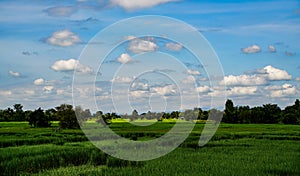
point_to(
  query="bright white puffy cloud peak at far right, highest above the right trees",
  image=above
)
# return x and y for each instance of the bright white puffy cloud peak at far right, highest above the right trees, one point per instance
(276, 74)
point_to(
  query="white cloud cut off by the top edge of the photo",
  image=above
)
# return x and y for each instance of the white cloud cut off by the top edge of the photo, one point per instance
(140, 4)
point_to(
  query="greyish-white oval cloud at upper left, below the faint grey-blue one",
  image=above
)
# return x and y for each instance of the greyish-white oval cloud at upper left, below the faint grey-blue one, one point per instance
(63, 38)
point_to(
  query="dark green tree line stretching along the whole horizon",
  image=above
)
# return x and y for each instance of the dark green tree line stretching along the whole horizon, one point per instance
(70, 117)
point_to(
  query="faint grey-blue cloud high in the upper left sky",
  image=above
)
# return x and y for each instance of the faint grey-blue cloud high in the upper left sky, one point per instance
(61, 11)
